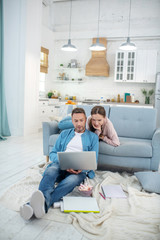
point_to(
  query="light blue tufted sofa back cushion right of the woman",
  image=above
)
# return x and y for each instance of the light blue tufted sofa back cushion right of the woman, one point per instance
(133, 122)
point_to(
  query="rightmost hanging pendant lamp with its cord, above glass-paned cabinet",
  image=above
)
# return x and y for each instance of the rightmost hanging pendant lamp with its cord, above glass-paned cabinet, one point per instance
(128, 45)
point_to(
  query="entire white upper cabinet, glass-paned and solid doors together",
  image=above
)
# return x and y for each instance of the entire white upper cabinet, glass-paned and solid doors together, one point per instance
(136, 66)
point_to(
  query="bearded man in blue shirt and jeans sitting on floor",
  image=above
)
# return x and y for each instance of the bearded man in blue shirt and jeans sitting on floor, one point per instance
(75, 139)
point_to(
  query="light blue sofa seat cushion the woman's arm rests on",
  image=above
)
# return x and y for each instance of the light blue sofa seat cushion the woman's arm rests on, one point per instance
(129, 147)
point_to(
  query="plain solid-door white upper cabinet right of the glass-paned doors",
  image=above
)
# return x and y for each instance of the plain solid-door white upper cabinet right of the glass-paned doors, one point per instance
(146, 66)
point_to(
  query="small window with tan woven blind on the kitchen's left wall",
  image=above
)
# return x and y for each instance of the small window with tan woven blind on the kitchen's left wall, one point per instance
(44, 60)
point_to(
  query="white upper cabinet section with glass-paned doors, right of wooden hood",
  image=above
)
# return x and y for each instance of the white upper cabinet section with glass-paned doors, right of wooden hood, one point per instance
(125, 66)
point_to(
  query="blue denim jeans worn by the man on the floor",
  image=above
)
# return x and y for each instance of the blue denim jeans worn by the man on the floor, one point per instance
(66, 183)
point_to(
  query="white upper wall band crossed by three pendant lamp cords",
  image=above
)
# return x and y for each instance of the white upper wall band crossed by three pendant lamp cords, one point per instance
(113, 21)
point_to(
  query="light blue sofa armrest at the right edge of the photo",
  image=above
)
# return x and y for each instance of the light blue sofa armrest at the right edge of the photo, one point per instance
(156, 150)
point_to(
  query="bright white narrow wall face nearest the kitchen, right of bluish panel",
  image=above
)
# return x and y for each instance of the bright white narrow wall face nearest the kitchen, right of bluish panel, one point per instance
(32, 65)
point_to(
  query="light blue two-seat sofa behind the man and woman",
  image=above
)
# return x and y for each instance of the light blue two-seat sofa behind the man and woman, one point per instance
(139, 139)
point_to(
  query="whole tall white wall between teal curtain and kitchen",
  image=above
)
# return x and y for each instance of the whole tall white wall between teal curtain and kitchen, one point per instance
(22, 37)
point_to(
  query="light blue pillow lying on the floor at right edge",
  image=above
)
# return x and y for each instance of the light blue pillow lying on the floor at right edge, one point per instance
(150, 181)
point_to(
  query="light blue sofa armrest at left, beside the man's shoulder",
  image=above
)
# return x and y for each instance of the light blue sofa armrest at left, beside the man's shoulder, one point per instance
(49, 128)
